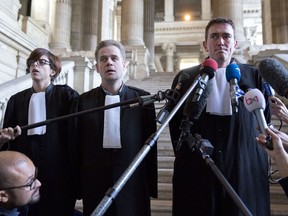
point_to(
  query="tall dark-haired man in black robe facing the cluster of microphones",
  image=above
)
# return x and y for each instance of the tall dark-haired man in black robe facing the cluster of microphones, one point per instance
(196, 189)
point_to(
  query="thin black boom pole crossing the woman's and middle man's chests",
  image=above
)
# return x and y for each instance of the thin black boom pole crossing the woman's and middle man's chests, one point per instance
(142, 101)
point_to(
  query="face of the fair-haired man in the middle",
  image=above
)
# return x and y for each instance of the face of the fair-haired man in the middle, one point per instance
(110, 64)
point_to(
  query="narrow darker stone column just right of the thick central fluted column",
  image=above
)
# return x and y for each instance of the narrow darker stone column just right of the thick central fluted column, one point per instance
(149, 8)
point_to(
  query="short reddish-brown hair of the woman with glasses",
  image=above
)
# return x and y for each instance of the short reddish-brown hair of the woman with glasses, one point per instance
(55, 62)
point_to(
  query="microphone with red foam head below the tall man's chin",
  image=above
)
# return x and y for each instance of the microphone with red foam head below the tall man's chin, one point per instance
(207, 71)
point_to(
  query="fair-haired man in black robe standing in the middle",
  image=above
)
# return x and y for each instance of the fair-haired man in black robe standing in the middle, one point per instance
(101, 162)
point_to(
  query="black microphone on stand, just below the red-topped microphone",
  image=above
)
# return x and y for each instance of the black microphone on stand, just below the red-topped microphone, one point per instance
(192, 111)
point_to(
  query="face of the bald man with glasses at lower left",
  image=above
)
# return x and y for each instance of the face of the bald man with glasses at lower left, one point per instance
(25, 174)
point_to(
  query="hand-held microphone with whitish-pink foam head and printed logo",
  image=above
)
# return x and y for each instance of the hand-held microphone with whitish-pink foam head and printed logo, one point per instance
(254, 101)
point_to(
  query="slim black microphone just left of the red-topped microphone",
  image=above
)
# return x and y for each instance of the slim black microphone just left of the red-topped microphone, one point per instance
(173, 97)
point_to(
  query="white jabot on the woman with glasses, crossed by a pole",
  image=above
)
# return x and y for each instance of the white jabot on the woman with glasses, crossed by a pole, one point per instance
(37, 113)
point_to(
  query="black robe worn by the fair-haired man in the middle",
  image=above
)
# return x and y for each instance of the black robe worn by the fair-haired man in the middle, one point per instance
(101, 168)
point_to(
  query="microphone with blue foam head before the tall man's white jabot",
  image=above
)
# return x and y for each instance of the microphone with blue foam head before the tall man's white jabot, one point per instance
(233, 75)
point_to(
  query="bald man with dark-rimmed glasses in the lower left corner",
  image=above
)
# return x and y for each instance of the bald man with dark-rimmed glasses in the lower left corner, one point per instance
(19, 185)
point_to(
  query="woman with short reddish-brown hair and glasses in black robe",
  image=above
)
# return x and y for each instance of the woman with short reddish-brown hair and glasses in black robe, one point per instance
(47, 147)
